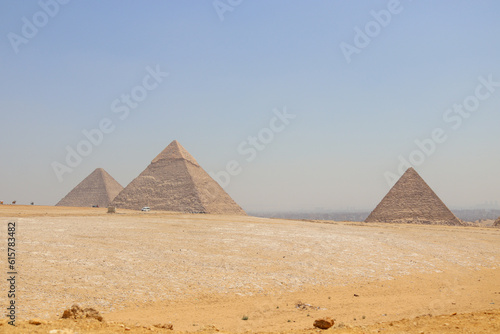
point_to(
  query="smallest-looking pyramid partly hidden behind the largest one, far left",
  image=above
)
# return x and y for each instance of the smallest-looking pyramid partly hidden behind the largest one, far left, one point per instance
(99, 188)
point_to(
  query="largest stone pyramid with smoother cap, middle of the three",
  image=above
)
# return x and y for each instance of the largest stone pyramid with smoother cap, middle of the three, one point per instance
(174, 181)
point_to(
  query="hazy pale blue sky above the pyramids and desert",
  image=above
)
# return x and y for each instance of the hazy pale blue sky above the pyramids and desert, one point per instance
(359, 82)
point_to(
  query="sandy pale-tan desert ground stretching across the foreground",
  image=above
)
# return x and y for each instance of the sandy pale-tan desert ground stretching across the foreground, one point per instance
(230, 274)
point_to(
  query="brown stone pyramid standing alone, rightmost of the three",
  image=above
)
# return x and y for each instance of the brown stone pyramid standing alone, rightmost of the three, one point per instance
(411, 200)
